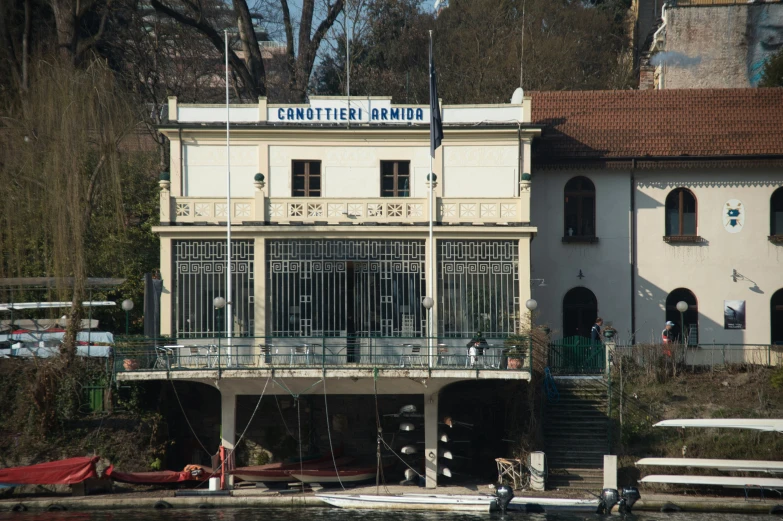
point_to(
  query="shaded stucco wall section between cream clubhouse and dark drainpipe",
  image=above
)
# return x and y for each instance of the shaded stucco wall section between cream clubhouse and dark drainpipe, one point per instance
(605, 265)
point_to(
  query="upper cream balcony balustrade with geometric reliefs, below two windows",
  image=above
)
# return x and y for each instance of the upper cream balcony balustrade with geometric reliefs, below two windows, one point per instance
(344, 210)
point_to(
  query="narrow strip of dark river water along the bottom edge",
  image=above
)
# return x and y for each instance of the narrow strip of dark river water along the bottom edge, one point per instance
(335, 514)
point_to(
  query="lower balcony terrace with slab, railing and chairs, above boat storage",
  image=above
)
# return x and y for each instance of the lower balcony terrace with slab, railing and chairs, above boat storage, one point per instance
(332, 356)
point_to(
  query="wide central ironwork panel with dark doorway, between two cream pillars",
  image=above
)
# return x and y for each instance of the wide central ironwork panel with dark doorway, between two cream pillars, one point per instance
(345, 288)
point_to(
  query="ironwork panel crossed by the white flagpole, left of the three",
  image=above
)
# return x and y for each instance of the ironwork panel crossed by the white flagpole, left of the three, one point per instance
(200, 276)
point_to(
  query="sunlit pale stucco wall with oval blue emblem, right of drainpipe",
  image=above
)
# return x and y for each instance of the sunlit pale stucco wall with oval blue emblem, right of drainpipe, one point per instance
(706, 269)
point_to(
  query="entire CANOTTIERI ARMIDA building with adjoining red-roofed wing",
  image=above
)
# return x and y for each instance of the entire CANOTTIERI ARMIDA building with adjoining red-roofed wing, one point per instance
(584, 204)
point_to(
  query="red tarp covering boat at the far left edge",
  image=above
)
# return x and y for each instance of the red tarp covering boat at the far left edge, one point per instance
(63, 472)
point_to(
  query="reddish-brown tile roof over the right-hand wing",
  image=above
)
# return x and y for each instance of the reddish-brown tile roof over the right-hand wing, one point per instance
(665, 123)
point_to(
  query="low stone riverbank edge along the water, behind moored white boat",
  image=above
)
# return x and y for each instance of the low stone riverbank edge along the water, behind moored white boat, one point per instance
(252, 498)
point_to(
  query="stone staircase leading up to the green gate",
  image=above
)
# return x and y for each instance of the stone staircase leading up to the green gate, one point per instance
(576, 433)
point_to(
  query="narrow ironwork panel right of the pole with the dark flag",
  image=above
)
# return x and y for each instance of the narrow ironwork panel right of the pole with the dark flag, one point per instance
(478, 287)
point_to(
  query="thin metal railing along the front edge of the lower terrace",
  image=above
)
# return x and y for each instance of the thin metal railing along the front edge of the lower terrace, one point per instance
(324, 352)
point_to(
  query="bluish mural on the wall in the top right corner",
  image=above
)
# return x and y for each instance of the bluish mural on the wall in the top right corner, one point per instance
(764, 31)
